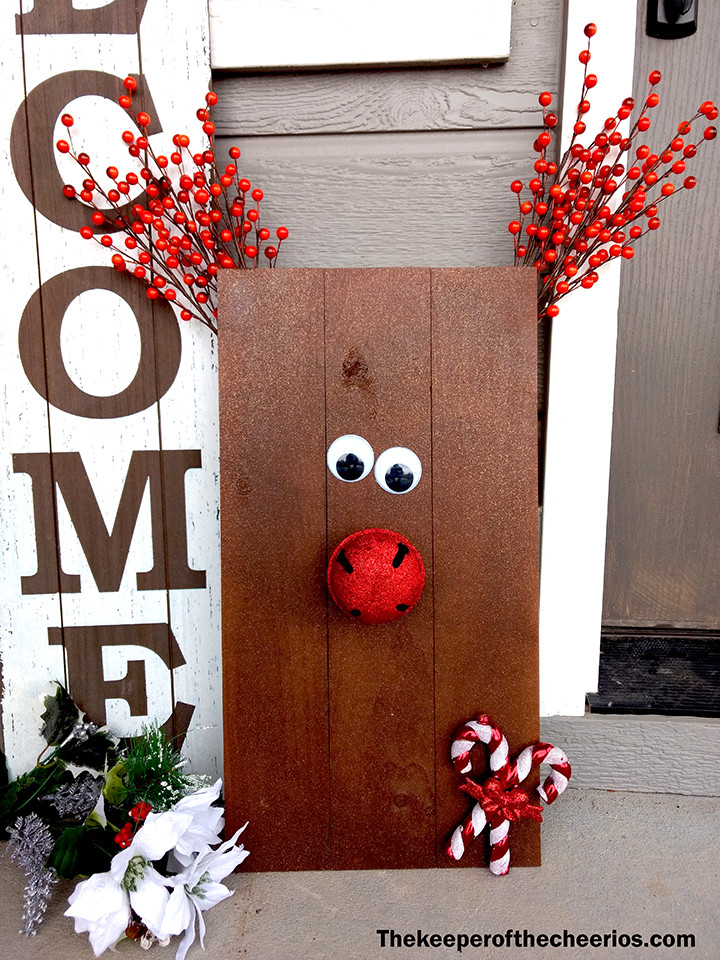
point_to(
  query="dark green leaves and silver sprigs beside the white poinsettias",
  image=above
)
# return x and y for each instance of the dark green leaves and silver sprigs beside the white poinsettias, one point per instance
(64, 816)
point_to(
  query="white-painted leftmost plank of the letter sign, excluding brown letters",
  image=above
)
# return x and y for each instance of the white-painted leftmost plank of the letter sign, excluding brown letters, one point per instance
(28, 663)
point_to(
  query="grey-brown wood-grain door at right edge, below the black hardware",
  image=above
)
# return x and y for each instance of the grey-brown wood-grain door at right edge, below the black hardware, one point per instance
(663, 550)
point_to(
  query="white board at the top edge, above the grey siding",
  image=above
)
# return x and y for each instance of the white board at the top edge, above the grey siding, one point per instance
(265, 34)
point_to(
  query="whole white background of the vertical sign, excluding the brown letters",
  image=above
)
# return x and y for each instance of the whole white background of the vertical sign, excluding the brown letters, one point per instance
(176, 67)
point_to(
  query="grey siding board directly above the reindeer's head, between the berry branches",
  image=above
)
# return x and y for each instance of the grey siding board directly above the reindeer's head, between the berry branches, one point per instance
(439, 199)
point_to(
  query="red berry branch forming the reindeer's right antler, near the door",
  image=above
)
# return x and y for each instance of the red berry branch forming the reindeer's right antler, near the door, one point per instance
(601, 199)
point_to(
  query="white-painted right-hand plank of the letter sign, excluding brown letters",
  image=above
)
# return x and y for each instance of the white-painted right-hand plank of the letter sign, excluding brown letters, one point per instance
(179, 71)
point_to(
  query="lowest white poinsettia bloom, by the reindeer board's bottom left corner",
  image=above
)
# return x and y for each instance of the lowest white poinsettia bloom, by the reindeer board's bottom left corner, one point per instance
(196, 889)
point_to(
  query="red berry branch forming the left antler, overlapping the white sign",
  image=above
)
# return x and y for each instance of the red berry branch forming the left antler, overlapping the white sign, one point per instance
(197, 219)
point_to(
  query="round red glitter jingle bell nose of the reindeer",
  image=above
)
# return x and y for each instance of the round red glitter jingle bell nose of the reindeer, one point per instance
(375, 576)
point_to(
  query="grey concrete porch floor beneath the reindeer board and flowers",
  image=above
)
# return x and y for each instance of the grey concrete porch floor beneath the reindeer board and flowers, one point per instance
(625, 862)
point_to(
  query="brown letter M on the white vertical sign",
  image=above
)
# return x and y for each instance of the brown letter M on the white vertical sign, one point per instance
(107, 550)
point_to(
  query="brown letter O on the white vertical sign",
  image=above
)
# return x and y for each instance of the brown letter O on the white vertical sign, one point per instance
(42, 322)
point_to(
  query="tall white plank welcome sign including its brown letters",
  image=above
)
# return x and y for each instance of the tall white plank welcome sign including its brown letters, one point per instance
(125, 513)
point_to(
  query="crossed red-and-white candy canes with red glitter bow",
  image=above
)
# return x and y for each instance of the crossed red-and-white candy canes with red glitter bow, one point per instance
(499, 799)
